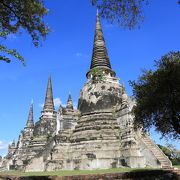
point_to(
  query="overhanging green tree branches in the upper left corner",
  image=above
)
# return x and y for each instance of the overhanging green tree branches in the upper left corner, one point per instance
(16, 15)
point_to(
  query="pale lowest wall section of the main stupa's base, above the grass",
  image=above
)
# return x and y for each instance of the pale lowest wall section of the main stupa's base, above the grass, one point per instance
(85, 155)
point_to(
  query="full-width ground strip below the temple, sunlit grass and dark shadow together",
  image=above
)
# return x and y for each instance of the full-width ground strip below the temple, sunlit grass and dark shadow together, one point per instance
(134, 174)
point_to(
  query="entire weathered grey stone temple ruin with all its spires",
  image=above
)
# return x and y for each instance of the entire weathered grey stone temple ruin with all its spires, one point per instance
(98, 135)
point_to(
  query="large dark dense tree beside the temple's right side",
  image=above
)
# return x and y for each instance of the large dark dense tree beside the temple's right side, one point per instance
(157, 93)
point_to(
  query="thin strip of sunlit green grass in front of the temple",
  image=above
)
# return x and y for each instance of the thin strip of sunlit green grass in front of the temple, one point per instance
(73, 172)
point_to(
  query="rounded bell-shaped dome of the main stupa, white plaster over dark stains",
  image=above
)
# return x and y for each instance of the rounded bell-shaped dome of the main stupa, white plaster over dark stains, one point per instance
(99, 96)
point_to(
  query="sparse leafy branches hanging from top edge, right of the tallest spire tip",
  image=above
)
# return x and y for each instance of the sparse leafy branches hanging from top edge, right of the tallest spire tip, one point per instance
(124, 13)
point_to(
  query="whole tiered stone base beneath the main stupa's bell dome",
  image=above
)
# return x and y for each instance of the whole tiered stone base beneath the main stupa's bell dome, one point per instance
(94, 144)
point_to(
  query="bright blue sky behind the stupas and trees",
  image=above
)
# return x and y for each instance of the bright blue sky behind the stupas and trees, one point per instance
(66, 55)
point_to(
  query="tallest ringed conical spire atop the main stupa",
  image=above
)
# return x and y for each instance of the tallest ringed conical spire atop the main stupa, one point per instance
(100, 56)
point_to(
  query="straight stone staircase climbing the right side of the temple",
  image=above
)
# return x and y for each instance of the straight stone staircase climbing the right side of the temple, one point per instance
(161, 157)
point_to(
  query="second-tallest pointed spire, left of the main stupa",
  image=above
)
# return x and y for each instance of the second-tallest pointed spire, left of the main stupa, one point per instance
(49, 104)
